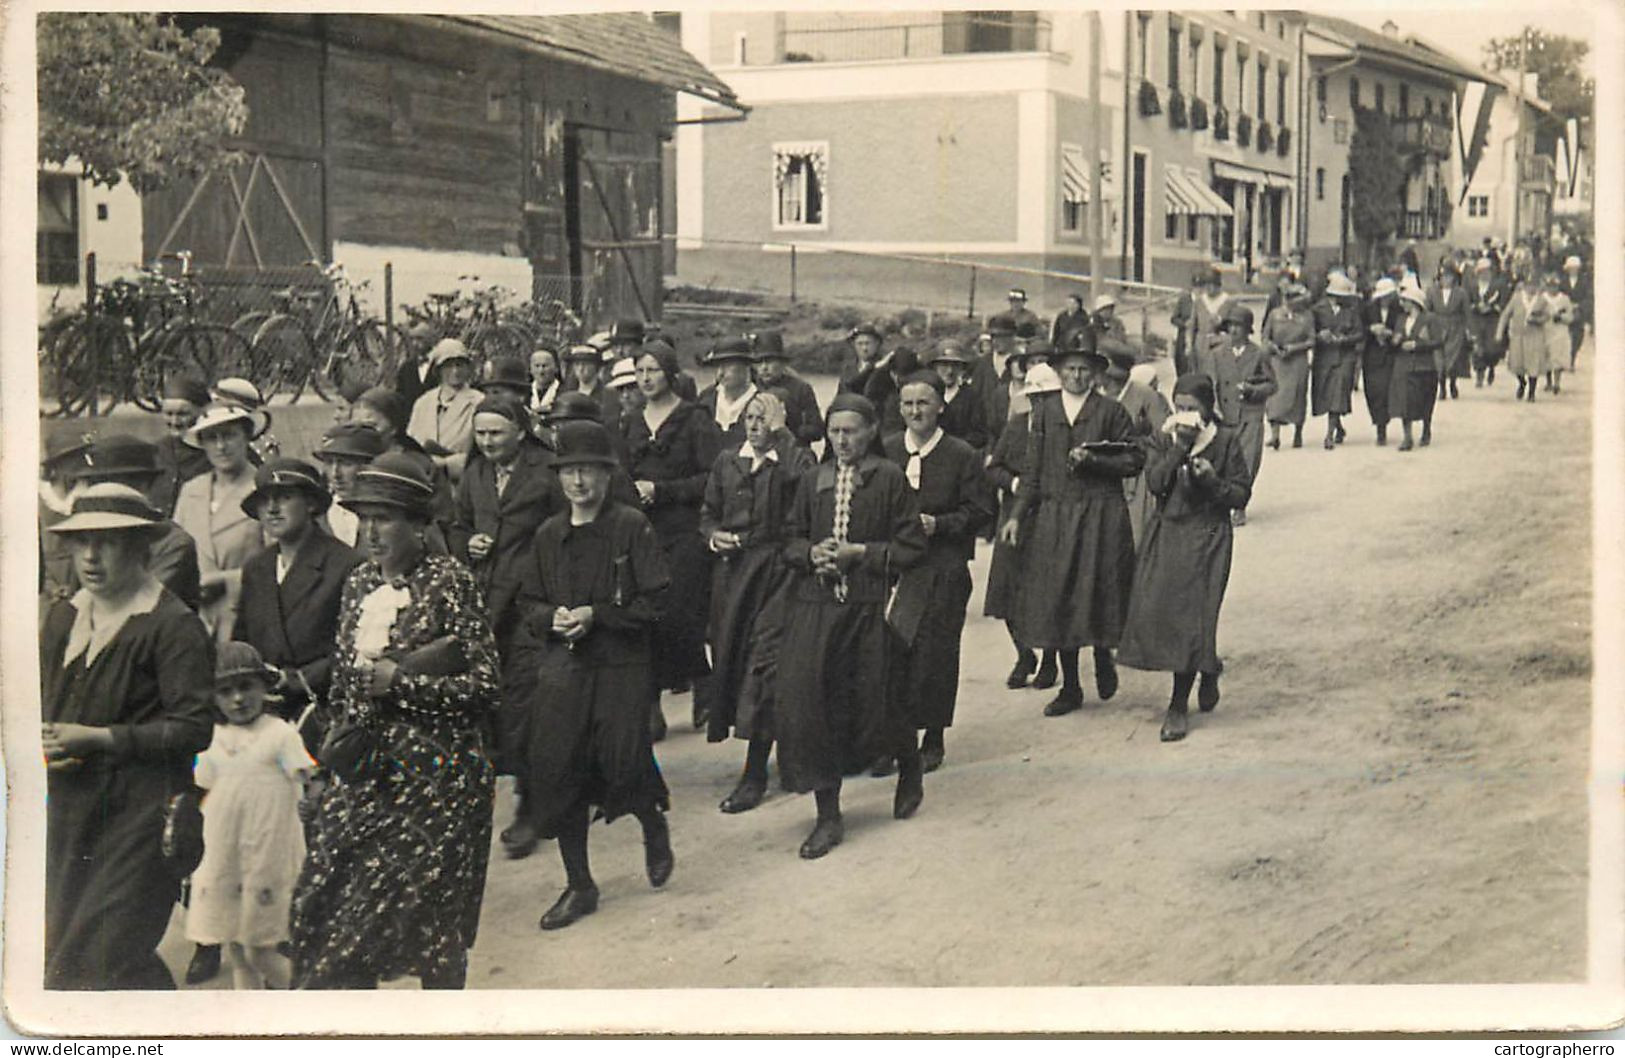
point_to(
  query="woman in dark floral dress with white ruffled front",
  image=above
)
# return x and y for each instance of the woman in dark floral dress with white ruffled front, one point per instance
(396, 874)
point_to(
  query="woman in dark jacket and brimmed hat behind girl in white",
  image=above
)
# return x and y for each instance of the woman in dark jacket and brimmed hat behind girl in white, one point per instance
(292, 591)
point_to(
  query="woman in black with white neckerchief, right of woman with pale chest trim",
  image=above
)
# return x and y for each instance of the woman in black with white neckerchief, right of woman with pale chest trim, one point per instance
(930, 607)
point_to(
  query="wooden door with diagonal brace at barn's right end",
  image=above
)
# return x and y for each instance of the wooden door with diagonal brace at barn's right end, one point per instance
(615, 225)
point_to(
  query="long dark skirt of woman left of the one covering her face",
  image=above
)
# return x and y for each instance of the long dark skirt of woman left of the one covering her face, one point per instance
(1078, 575)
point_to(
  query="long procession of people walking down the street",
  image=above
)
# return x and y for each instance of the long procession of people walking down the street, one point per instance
(501, 573)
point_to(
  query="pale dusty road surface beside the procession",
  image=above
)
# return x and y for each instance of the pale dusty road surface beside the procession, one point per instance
(1393, 789)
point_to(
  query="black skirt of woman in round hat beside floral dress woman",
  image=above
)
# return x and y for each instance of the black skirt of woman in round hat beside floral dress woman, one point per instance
(591, 740)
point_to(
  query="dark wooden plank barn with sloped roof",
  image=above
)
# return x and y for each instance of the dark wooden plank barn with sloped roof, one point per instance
(522, 150)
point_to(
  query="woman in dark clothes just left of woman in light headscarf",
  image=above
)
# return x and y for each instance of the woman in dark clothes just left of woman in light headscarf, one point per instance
(672, 448)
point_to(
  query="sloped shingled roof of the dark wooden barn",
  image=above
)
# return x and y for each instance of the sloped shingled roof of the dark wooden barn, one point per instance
(622, 43)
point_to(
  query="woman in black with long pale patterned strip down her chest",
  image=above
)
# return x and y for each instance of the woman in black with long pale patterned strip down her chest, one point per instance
(854, 527)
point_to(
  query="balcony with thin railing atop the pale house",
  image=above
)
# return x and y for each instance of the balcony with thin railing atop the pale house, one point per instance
(878, 38)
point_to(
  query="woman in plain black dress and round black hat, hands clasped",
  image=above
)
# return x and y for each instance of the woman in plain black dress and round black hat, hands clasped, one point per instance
(592, 599)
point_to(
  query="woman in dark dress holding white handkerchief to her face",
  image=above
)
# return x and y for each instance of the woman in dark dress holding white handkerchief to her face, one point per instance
(1198, 475)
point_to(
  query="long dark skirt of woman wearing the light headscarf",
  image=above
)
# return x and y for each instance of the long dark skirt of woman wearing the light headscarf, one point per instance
(745, 630)
